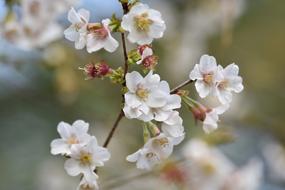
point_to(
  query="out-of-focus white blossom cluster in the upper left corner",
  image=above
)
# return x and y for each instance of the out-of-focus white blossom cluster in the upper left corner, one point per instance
(36, 25)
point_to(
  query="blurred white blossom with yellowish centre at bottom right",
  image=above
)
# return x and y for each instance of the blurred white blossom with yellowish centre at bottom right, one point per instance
(209, 167)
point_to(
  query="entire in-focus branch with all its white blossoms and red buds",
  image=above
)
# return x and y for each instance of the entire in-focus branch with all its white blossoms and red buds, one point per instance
(144, 97)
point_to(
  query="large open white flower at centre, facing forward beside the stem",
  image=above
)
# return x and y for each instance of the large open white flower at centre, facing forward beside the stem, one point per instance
(144, 94)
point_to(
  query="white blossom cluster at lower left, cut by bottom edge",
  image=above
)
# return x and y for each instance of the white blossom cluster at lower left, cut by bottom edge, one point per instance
(82, 152)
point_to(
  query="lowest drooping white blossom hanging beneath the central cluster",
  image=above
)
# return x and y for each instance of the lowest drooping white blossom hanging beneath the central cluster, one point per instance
(154, 151)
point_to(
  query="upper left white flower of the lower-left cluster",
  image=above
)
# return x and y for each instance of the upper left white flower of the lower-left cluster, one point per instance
(71, 135)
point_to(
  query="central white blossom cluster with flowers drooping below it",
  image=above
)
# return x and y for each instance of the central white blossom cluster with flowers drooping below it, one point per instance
(149, 99)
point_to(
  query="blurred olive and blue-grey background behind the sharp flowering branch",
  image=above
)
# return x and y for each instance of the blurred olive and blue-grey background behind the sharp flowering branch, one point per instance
(40, 85)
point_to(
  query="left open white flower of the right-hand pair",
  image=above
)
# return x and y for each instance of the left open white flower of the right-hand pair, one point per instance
(206, 75)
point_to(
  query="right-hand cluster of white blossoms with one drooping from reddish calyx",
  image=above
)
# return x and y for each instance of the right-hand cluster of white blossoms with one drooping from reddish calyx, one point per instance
(214, 80)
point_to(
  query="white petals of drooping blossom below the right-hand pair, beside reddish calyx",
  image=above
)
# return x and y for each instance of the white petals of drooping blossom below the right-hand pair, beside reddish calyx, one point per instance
(212, 118)
